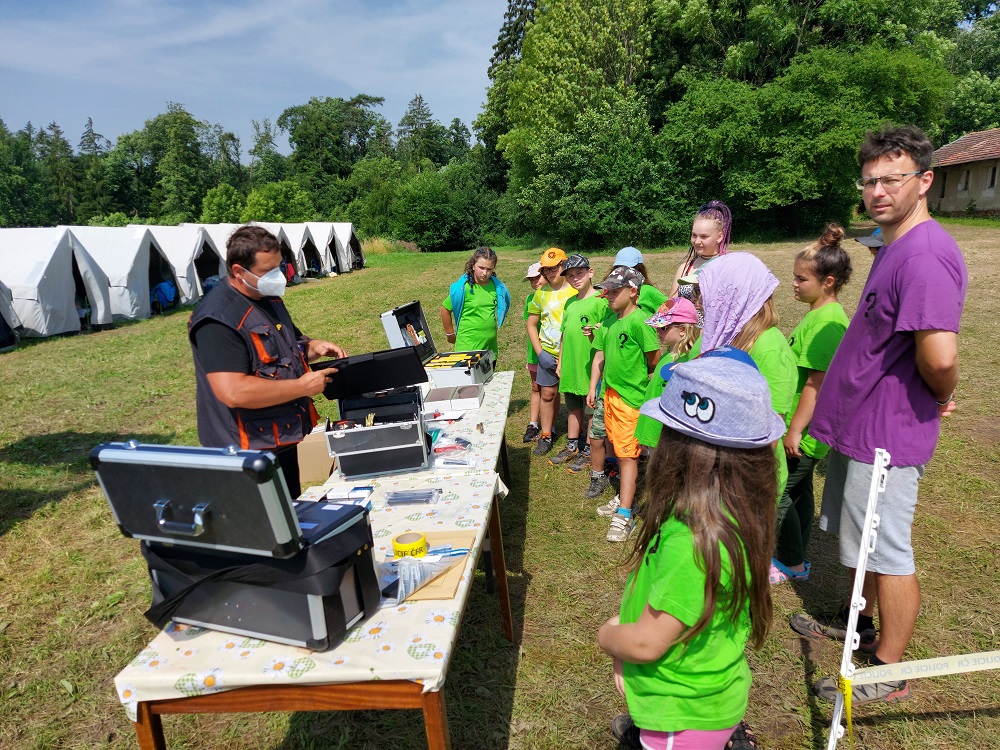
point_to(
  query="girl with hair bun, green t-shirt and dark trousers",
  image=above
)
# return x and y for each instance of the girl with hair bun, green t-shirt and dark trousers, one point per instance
(819, 273)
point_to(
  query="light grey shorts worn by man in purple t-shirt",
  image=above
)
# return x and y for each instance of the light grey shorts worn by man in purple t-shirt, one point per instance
(845, 501)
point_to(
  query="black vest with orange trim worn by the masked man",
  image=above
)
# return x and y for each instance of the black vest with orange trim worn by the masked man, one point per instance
(274, 354)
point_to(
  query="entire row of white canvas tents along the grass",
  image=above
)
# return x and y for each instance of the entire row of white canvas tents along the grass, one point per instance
(53, 278)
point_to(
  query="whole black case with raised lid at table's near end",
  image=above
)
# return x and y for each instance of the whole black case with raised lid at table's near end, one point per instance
(248, 569)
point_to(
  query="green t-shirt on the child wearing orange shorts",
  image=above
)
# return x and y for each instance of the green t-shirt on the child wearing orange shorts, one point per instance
(625, 344)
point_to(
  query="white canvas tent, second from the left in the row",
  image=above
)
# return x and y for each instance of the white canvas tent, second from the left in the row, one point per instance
(133, 262)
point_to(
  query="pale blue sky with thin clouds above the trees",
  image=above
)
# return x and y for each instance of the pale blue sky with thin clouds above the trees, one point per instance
(228, 62)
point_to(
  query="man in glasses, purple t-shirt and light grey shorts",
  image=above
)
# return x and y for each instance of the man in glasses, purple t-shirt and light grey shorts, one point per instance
(891, 381)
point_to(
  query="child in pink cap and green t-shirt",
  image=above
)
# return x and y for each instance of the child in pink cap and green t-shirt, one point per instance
(676, 326)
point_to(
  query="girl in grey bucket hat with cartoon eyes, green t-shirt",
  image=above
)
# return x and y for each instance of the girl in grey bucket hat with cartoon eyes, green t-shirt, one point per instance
(698, 589)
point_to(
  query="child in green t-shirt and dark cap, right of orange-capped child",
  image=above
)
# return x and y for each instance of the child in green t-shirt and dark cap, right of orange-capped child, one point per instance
(576, 354)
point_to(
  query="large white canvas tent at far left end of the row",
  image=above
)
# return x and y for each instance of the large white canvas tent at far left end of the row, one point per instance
(48, 273)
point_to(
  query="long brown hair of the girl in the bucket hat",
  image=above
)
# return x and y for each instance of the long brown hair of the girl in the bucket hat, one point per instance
(726, 497)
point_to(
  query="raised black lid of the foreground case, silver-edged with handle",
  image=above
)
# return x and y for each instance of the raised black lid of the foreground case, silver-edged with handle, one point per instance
(215, 498)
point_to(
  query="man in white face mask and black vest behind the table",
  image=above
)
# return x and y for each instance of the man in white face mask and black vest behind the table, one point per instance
(254, 386)
